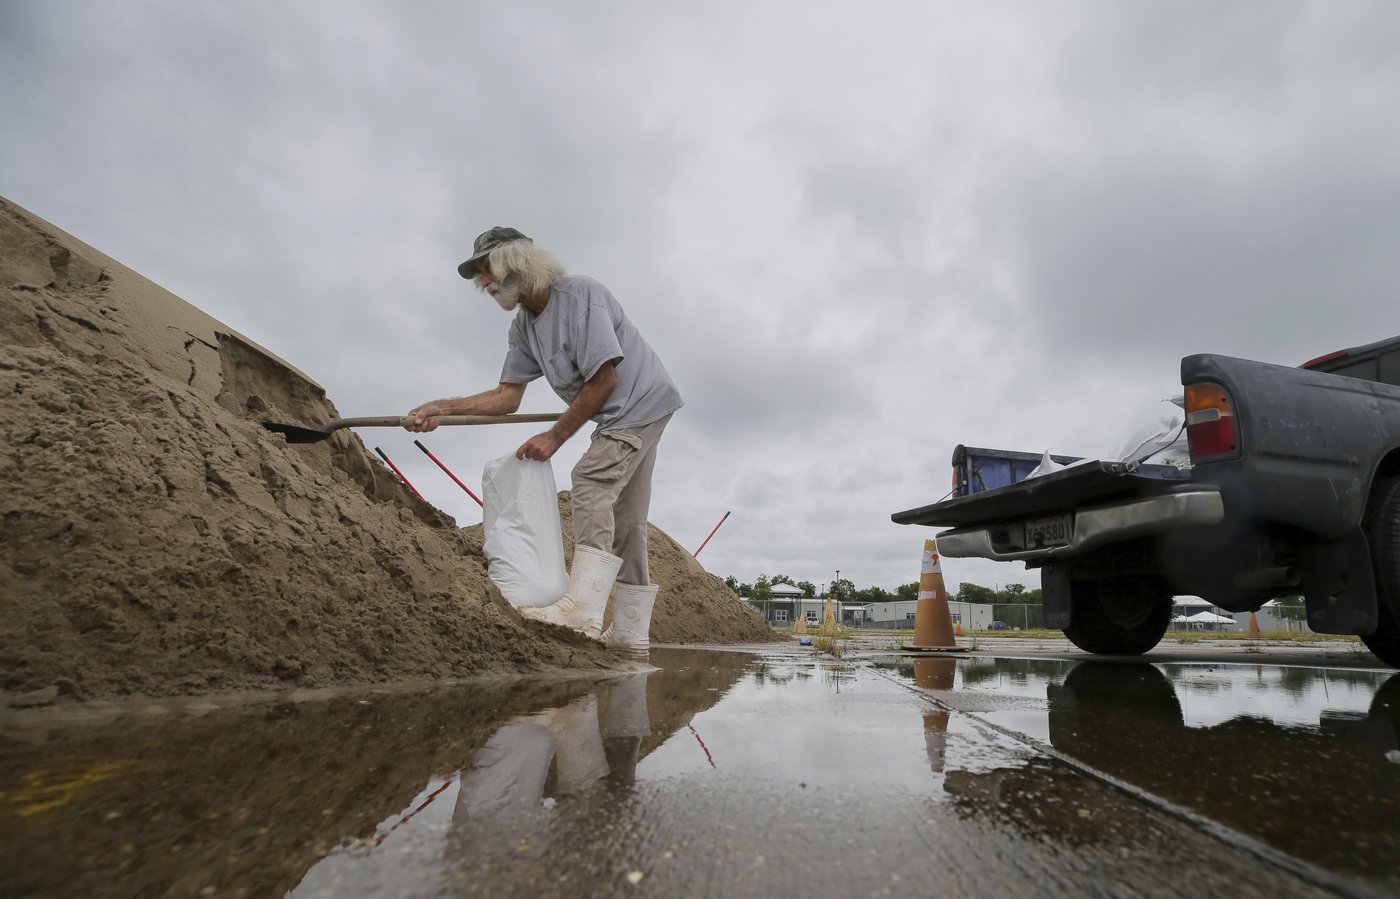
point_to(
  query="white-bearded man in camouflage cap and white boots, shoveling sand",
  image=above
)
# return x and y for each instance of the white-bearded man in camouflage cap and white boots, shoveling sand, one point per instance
(570, 331)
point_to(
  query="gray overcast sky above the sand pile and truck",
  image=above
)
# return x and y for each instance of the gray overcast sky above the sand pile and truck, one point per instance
(857, 235)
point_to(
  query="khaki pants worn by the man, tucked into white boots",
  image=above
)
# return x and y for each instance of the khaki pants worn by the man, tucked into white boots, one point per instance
(612, 496)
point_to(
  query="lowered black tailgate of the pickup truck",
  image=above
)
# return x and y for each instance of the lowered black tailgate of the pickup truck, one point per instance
(1076, 487)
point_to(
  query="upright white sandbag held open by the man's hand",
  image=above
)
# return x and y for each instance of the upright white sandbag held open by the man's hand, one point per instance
(524, 540)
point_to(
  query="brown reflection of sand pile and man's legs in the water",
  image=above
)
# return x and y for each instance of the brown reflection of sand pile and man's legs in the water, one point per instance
(247, 800)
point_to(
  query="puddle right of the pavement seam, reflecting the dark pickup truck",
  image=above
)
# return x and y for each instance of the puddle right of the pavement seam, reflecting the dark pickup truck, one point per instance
(1304, 760)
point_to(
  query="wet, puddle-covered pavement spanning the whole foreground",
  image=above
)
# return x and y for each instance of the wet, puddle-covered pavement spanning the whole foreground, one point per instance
(726, 774)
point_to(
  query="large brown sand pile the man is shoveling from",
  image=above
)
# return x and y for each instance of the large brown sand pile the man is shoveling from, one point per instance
(159, 541)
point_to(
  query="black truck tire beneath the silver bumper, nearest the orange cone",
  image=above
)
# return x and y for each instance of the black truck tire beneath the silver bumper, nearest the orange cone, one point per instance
(1119, 617)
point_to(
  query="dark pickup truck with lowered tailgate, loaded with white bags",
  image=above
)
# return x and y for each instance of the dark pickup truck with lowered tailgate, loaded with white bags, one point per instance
(1293, 488)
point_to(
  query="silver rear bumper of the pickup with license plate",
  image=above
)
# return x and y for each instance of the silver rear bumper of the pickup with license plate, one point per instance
(1093, 527)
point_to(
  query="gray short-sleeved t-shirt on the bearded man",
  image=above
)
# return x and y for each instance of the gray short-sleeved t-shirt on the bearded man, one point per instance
(582, 328)
